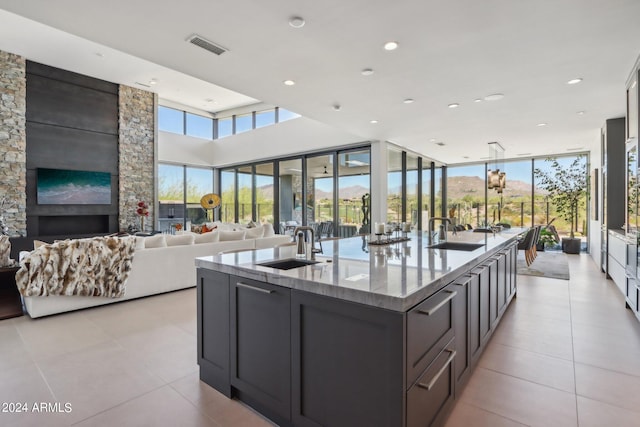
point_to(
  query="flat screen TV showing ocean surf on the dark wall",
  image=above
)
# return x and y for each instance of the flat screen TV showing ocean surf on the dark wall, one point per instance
(69, 187)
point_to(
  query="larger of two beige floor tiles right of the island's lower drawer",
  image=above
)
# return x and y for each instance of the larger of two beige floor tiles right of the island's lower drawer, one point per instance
(519, 400)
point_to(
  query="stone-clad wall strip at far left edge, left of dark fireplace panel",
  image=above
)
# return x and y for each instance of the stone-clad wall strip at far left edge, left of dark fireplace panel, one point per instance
(13, 145)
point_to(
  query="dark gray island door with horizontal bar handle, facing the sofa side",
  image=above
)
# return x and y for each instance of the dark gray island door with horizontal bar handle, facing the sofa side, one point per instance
(260, 344)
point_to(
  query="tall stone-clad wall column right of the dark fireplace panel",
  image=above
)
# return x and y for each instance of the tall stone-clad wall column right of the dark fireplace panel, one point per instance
(136, 155)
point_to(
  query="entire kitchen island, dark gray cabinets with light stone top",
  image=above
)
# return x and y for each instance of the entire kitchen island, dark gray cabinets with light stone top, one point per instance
(368, 335)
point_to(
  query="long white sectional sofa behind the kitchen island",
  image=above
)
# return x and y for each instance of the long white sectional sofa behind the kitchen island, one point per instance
(160, 264)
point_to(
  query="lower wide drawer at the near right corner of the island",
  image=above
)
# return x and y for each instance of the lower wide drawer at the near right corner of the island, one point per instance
(431, 396)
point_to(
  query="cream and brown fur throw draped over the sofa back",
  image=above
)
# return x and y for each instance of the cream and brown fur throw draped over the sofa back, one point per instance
(97, 267)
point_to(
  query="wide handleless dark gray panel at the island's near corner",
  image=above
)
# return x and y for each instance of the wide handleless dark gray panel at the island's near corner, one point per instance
(347, 363)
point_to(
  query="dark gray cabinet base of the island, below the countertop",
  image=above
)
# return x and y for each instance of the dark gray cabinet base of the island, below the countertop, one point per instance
(305, 359)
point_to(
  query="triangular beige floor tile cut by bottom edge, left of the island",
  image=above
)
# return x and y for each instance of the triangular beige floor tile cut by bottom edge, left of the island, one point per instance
(161, 407)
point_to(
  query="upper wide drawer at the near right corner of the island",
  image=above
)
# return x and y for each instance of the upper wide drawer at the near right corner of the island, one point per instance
(429, 330)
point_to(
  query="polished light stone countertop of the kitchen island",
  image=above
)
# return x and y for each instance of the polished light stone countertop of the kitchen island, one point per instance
(394, 277)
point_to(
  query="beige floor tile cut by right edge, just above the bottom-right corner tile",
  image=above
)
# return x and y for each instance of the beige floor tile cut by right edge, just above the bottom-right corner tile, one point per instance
(608, 386)
